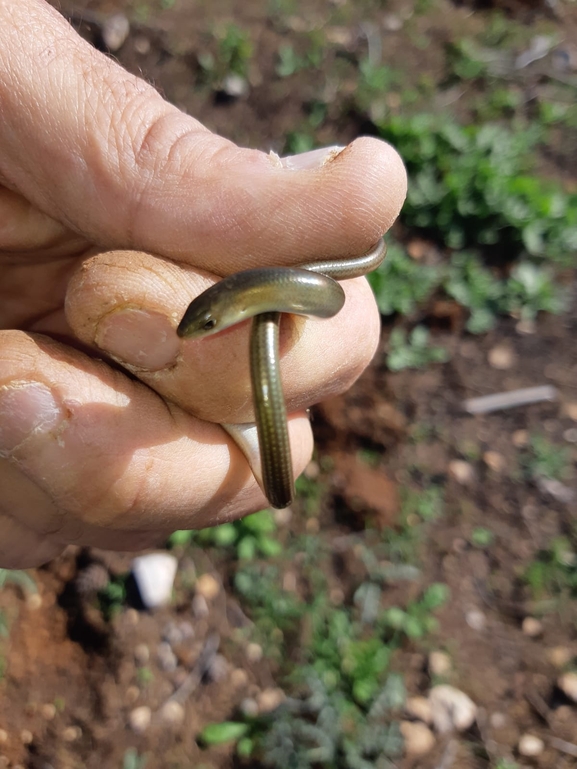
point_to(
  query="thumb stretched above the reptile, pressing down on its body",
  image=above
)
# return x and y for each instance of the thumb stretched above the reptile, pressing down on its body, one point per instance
(117, 163)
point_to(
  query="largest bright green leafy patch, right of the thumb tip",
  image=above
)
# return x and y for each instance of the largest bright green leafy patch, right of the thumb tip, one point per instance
(473, 185)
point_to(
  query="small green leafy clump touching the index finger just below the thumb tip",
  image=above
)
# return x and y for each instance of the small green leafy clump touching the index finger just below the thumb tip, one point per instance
(400, 284)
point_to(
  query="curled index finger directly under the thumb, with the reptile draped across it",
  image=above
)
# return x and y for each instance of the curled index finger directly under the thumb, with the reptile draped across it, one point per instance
(128, 304)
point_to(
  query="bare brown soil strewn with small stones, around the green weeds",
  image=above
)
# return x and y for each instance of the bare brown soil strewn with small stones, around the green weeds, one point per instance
(72, 676)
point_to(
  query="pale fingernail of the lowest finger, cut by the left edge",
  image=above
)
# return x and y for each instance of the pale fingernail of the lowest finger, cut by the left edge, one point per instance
(26, 409)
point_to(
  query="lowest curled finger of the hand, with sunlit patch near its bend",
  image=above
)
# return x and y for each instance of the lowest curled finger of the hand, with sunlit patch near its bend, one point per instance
(104, 459)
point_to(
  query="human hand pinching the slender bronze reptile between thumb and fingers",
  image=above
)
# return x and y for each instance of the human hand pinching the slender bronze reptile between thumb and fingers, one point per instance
(92, 159)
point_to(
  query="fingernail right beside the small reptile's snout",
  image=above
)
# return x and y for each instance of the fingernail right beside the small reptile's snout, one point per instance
(139, 338)
